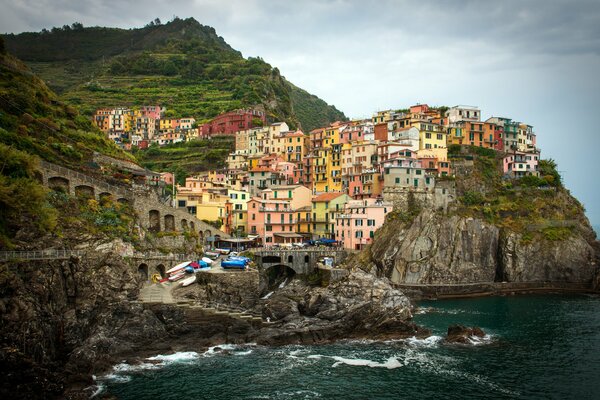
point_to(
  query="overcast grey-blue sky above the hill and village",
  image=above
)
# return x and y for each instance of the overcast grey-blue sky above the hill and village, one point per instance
(535, 61)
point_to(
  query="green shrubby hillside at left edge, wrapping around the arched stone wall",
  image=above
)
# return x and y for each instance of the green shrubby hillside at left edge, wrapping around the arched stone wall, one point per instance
(35, 125)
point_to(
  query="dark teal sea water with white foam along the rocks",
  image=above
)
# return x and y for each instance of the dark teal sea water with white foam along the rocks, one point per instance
(538, 347)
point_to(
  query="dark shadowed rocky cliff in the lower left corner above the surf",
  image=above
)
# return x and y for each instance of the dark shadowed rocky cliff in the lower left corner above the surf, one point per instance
(65, 315)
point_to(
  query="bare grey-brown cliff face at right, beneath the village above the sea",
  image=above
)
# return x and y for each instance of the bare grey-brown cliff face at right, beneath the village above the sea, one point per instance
(442, 249)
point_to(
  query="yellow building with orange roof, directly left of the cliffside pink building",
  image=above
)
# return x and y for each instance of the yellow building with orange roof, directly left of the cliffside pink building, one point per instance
(324, 208)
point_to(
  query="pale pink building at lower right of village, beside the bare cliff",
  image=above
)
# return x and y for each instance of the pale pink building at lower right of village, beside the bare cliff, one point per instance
(356, 225)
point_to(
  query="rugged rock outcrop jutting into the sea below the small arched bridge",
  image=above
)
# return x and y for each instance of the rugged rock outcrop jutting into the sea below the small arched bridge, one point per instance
(360, 306)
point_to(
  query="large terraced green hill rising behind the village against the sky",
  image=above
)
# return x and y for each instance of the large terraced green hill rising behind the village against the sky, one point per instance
(182, 65)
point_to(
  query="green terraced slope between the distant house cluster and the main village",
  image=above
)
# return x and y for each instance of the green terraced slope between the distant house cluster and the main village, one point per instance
(187, 158)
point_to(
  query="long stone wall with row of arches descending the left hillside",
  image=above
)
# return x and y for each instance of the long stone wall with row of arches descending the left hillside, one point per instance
(153, 214)
